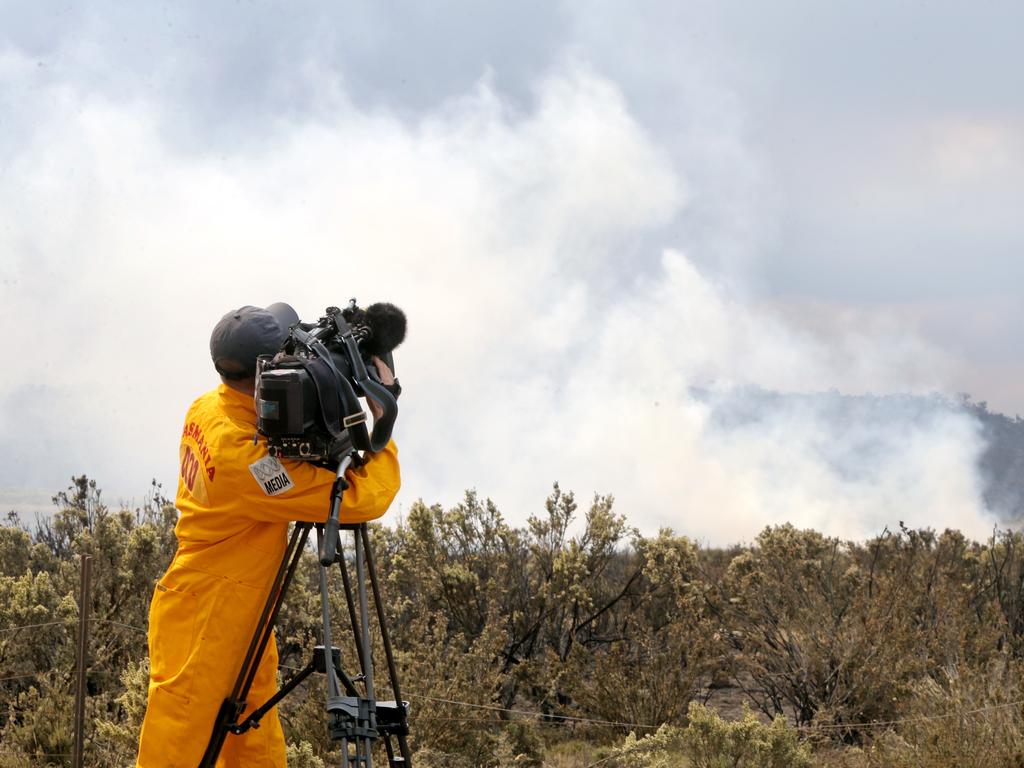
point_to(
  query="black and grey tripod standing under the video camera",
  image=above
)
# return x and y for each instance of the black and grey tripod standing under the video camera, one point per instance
(355, 719)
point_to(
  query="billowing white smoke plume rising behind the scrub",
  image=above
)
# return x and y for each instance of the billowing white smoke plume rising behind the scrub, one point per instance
(538, 351)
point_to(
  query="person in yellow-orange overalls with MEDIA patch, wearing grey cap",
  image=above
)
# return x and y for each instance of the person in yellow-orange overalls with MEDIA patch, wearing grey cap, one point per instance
(235, 503)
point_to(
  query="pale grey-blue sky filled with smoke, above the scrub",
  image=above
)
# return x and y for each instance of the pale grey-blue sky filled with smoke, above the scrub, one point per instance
(610, 225)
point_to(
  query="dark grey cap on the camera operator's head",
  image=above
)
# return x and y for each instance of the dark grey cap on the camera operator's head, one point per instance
(245, 333)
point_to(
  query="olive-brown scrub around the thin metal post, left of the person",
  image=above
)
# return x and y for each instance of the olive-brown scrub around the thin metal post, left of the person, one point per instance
(39, 580)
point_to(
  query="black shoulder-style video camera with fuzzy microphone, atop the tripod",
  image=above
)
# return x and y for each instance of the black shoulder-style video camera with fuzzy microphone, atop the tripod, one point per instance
(308, 396)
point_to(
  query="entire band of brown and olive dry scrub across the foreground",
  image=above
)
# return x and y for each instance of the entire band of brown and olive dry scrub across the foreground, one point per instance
(572, 639)
